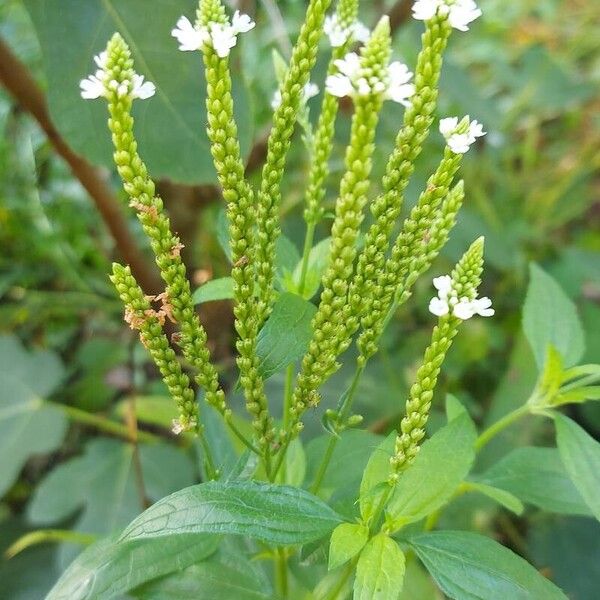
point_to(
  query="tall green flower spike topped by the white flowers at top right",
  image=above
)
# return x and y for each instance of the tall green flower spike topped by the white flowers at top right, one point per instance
(418, 119)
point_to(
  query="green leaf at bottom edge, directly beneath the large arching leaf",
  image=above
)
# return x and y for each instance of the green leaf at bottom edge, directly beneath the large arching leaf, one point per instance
(224, 576)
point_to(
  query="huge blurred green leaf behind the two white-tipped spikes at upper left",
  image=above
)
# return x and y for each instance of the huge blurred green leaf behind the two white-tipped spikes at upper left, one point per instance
(170, 126)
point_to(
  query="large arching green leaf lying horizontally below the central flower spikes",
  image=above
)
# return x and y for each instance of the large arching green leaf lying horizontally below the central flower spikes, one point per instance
(271, 513)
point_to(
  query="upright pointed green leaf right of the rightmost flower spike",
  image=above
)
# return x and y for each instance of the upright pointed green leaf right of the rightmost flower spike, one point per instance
(550, 318)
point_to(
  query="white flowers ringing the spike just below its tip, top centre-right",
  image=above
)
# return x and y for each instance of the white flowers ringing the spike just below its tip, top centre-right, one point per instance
(353, 80)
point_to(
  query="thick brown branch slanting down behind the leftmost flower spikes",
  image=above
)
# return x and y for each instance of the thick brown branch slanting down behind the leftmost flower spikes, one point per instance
(17, 79)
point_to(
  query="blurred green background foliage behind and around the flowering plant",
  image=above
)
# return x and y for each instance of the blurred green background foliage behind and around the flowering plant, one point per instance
(529, 70)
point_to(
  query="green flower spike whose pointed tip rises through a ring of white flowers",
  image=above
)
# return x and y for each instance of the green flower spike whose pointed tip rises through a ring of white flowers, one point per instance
(331, 321)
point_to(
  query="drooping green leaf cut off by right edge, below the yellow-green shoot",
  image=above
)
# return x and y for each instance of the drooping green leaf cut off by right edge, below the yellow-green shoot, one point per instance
(580, 454)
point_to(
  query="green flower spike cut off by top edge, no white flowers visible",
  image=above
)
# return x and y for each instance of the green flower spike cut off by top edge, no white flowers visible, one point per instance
(269, 197)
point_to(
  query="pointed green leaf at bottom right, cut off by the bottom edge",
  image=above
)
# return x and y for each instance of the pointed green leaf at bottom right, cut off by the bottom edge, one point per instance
(468, 566)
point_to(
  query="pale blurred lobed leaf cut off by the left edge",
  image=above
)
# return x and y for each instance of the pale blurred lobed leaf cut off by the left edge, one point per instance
(28, 425)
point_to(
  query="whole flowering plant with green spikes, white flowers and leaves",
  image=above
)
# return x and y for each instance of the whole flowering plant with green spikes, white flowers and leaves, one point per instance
(325, 541)
